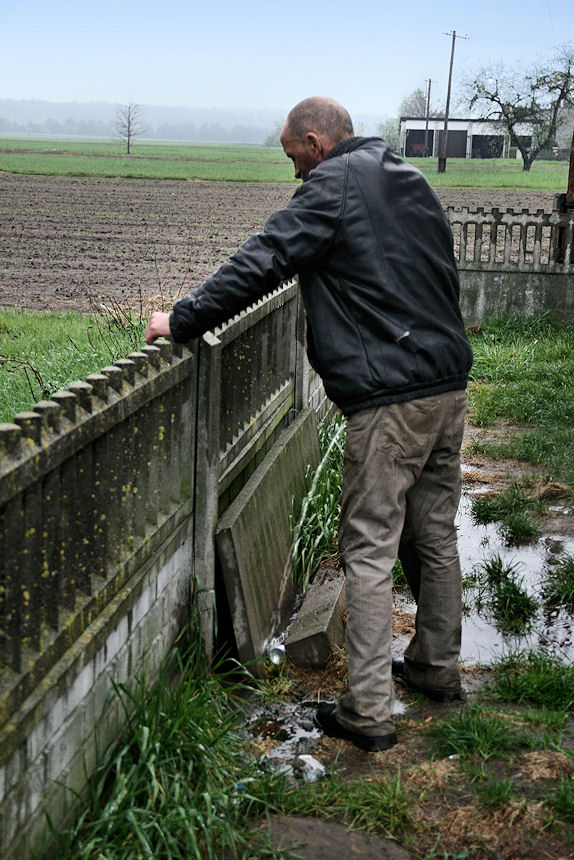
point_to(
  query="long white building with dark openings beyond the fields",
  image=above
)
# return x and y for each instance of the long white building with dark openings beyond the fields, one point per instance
(467, 138)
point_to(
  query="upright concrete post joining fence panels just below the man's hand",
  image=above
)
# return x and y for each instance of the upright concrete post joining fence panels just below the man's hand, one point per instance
(207, 482)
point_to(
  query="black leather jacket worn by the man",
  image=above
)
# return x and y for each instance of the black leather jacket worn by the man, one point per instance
(373, 250)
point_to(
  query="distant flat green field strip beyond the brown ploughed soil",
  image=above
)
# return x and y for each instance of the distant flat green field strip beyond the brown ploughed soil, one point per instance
(241, 163)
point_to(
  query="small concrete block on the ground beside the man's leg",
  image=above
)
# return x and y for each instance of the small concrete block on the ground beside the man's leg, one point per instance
(318, 627)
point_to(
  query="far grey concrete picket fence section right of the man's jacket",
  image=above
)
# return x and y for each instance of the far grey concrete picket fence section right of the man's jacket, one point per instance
(514, 262)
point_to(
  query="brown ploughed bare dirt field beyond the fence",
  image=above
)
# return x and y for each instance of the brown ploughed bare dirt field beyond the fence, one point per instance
(65, 241)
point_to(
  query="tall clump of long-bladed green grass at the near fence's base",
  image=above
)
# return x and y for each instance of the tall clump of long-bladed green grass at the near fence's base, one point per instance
(181, 782)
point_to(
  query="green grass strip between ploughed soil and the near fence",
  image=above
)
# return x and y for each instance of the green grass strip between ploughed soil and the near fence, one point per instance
(43, 352)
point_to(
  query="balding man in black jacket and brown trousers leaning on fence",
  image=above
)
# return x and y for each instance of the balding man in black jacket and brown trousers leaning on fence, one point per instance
(373, 251)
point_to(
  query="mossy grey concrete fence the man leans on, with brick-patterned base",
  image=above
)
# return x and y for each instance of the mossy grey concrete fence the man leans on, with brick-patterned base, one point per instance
(110, 494)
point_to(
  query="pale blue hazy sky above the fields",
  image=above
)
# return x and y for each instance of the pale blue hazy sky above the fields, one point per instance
(263, 54)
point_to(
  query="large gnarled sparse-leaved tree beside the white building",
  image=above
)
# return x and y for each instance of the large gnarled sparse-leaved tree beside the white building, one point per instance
(536, 98)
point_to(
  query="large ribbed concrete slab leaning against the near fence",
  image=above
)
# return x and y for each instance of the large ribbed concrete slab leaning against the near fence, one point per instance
(253, 540)
